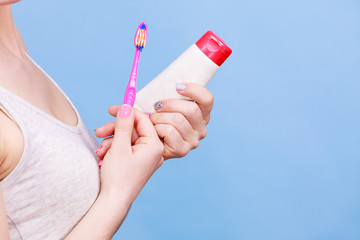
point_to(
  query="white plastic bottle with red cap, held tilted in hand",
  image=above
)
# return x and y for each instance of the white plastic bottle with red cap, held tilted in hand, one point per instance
(197, 64)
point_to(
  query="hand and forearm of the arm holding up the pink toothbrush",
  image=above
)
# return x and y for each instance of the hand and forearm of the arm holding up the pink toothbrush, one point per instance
(126, 168)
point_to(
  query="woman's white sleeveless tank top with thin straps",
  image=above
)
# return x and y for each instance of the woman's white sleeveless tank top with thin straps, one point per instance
(57, 178)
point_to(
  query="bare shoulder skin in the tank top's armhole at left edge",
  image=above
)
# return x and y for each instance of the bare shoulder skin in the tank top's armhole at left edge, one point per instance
(11, 145)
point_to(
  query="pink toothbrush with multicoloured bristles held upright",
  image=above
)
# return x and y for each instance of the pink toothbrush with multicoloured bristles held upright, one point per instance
(139, 42)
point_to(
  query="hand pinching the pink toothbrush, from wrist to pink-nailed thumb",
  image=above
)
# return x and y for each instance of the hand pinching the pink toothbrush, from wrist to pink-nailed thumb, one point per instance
(128, 166)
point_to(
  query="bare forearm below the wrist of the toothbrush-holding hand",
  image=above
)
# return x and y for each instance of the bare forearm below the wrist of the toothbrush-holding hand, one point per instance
(103, 219)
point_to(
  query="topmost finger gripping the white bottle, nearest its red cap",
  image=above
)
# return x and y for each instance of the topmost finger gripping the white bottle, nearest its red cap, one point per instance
(200, 95)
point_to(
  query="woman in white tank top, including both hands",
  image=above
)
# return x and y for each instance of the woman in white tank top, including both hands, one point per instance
(51, 186)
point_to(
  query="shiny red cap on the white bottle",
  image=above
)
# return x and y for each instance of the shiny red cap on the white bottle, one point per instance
(214, 47)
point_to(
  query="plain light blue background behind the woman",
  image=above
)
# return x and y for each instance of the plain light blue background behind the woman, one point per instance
(282, 155)
